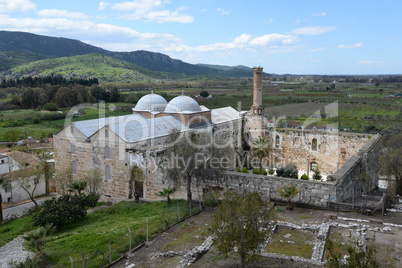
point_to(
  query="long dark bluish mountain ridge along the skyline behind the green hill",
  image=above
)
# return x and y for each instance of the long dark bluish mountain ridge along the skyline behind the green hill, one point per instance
(64, 47)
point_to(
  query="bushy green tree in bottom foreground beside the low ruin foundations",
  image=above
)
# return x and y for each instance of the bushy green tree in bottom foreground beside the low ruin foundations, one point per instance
(242, 223)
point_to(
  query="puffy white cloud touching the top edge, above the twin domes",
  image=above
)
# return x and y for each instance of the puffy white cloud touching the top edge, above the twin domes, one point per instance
(150, 10)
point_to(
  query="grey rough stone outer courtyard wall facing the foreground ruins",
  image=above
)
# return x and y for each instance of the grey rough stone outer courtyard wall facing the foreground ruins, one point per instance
(313, 193)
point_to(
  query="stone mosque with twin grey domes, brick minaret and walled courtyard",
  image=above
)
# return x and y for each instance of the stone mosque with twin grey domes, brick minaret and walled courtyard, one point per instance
(127, 149)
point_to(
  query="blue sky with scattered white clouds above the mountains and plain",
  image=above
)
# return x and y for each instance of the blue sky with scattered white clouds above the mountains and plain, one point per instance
(288, 36)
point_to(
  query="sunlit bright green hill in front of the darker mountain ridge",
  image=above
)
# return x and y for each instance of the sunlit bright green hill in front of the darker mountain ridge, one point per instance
(106, 69)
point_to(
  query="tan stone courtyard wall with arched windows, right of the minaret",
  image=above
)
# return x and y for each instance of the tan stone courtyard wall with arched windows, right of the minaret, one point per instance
(332, 151)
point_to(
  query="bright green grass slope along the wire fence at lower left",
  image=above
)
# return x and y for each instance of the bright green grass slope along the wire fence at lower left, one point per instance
(90, 234)
